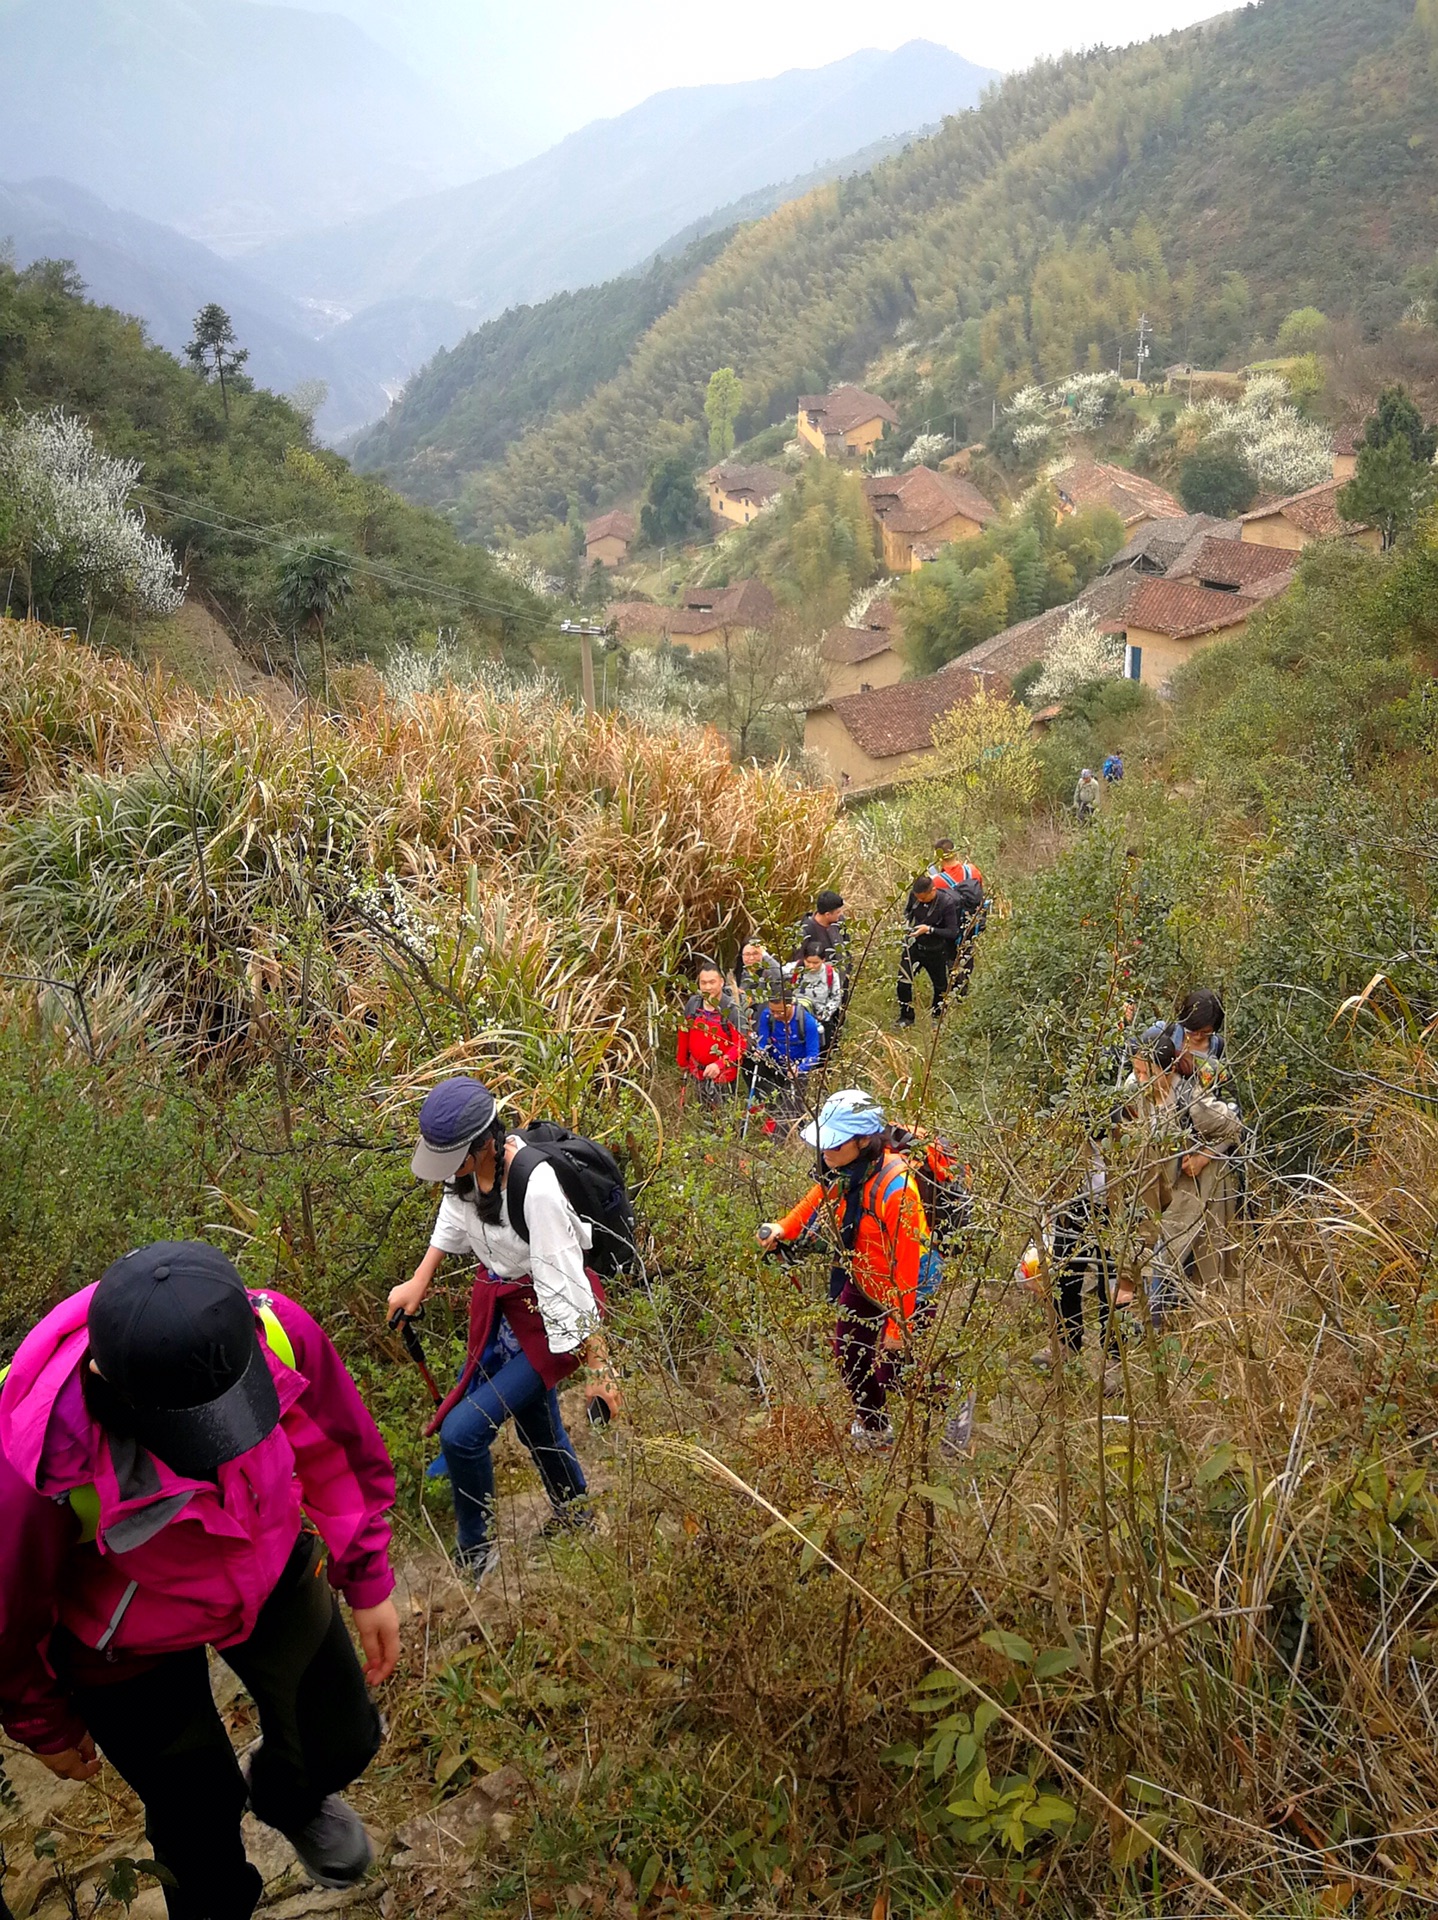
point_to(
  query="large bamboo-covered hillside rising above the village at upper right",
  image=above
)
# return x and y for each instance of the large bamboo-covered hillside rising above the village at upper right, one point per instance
(1212, 180)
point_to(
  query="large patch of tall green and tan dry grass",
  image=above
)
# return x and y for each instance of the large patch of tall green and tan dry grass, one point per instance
(514, 863)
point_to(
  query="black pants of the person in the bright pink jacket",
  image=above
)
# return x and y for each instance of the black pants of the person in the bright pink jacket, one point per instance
(160, 1731)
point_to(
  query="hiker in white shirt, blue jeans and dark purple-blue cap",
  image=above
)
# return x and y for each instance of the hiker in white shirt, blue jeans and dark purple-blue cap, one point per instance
(535, 1307)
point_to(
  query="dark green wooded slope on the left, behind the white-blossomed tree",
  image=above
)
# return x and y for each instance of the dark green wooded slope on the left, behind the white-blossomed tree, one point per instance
(233, 481)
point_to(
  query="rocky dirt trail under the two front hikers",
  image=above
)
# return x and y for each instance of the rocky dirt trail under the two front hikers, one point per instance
(425, 1848)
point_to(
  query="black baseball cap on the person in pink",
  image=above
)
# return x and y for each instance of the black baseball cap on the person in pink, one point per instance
(174, 1335)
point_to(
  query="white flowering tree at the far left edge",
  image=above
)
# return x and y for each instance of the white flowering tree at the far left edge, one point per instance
(72, 527)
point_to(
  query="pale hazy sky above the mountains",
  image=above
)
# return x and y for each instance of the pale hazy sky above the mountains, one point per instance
(546, 68)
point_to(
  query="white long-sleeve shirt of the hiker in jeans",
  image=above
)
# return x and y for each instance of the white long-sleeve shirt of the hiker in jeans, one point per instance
(552, 1257)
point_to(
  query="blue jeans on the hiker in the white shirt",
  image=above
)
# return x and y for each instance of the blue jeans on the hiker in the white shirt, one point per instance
(469, 1431)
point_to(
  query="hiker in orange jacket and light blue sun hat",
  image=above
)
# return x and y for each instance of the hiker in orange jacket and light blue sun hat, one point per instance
(880, 1257)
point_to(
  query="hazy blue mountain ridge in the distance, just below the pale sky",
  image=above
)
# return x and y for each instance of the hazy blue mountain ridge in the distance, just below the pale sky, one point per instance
(613, 193)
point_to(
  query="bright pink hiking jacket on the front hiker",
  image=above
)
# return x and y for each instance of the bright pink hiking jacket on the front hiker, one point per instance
(176, 1564)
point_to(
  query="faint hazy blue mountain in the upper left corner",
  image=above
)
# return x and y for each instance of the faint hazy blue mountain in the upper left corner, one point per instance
(229, 120)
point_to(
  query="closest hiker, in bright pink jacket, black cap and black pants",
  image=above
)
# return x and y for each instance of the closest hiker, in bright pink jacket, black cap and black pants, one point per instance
(181, 1464)
